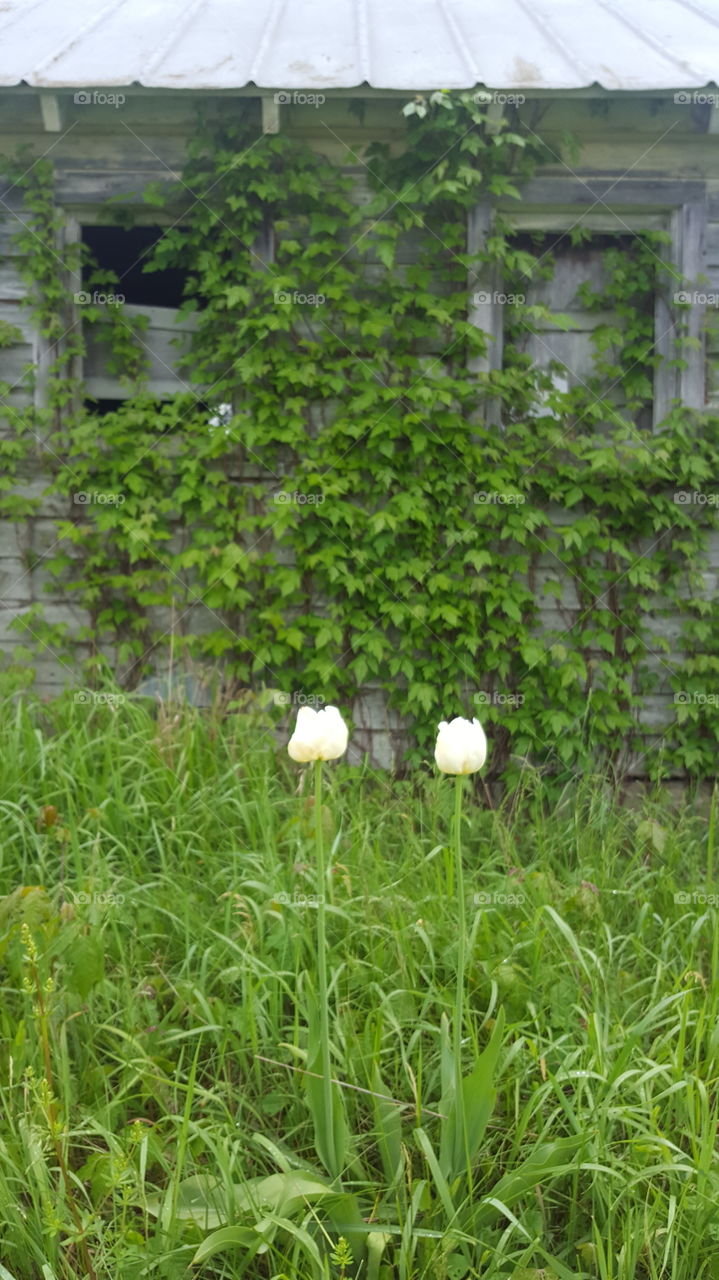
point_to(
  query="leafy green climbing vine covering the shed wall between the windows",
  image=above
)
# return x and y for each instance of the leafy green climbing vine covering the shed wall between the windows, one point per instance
(356, 518)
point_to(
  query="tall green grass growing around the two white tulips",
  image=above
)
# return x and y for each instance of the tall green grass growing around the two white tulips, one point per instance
(164, 867)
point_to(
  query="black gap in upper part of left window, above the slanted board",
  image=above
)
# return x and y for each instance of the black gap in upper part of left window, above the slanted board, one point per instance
(126, 253)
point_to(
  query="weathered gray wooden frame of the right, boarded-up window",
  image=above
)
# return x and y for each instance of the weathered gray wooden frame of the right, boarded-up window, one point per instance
(626, 207)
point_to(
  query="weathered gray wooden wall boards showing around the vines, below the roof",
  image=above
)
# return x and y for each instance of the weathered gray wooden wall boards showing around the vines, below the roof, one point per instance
(644, 162)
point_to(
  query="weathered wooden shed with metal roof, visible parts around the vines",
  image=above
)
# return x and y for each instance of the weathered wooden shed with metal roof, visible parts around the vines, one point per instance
(109, 95)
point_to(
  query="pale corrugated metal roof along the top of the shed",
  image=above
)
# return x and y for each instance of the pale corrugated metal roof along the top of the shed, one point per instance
(345, 44)
